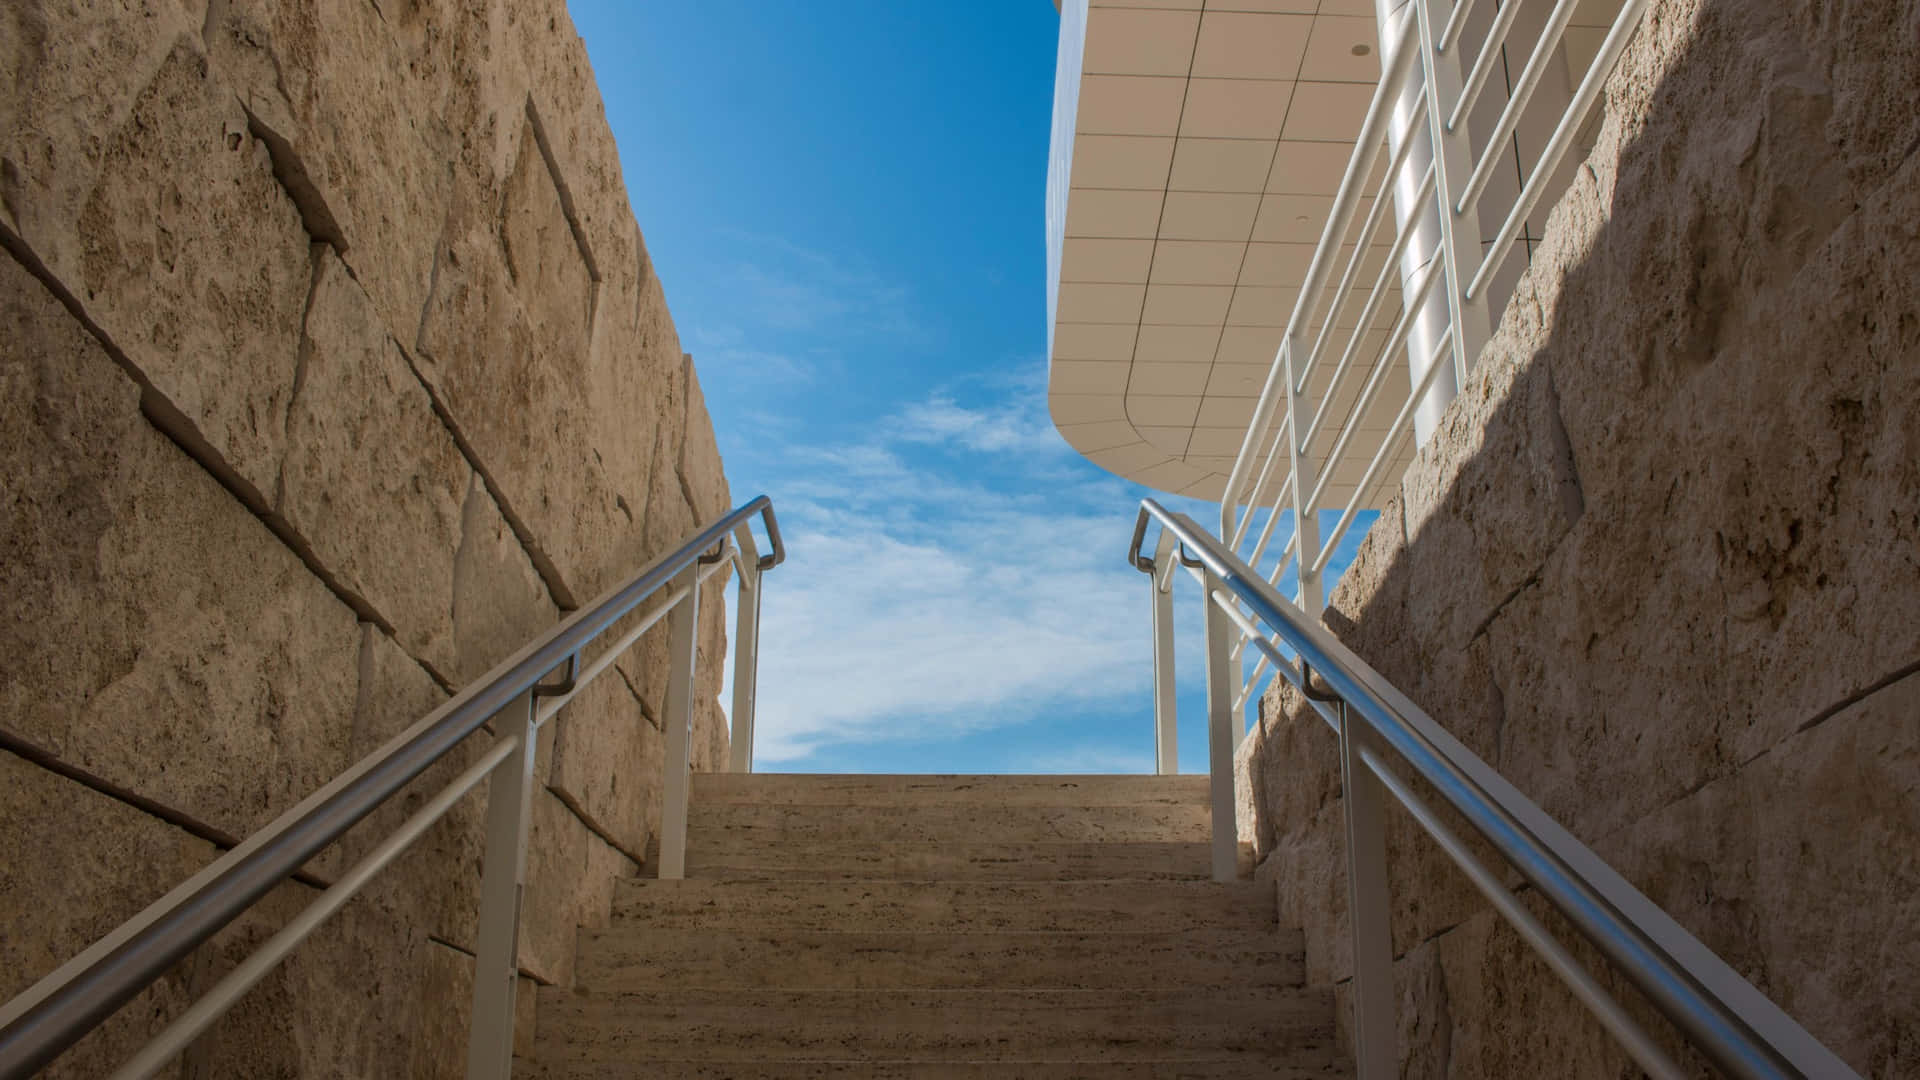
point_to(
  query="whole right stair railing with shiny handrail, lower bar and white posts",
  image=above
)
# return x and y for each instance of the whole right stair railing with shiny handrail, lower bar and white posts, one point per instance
(1385, 743)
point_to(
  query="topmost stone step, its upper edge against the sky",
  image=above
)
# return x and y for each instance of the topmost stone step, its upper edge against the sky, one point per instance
(915, 791)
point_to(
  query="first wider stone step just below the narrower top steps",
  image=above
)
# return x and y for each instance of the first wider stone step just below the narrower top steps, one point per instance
(946, 906)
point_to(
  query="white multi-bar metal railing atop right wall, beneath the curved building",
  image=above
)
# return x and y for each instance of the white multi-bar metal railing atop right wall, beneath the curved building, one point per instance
(1431, 297)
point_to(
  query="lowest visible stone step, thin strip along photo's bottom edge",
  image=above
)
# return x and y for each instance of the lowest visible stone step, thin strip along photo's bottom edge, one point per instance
(1182, 1069)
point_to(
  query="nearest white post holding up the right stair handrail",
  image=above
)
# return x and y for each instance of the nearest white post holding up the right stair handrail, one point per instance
(1376, 1056)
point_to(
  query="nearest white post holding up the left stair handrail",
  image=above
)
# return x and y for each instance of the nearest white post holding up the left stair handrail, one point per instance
(504, 885)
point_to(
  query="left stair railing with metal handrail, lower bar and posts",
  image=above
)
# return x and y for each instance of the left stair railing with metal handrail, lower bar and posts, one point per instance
(76, 998)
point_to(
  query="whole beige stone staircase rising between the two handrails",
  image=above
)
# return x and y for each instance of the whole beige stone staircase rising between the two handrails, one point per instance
(942, 927)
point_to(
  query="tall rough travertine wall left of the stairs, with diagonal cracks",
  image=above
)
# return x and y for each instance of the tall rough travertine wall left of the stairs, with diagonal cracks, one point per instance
(333, 372)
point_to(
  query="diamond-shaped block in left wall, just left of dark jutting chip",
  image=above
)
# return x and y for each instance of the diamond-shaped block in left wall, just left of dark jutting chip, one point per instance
(189, 249)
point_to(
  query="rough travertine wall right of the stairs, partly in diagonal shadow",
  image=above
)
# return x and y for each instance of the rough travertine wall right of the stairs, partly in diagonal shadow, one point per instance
(1662, 566)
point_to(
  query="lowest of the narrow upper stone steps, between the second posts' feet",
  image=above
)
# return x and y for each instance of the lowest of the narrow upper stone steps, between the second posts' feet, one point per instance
(713, 854)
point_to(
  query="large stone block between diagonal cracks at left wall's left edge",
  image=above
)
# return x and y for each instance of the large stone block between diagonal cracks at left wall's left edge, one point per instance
(164, 639)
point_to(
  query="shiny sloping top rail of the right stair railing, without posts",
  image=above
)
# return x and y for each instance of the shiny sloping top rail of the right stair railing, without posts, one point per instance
(1735, 1025)
